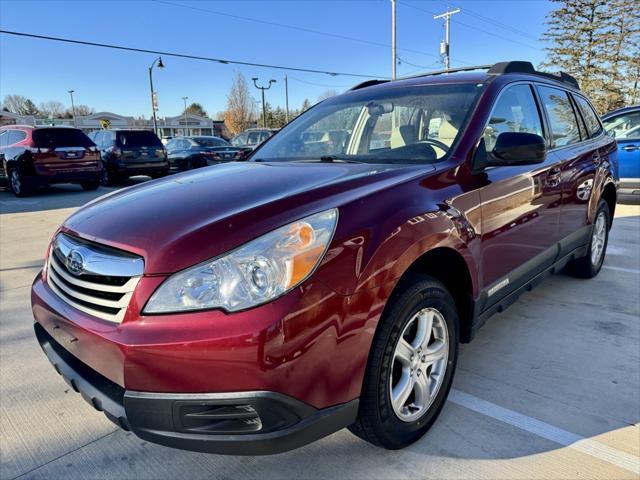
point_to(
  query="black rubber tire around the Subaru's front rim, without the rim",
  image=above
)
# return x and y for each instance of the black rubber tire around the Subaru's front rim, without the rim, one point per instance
(394, 432)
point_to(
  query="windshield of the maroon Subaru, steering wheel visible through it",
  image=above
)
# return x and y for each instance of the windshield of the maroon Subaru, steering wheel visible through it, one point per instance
(396, 125)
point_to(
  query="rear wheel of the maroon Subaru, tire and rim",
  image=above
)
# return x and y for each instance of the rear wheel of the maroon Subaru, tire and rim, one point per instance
(589, 265)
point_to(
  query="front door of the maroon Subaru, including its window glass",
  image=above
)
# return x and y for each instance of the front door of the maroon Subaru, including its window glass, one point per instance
(520, 204)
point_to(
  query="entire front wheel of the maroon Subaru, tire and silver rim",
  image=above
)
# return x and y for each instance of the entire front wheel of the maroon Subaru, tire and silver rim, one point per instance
(395, 425)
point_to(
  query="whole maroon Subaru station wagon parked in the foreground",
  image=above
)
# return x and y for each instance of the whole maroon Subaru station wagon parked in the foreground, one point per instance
(253, 307)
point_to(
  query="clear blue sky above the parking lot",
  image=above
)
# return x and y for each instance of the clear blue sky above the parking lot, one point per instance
(109, 80)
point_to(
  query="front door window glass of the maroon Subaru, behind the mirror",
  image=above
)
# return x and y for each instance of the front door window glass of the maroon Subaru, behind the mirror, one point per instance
(515, 111)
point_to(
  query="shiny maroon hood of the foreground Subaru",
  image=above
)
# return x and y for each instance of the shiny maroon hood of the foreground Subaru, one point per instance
(184, 219)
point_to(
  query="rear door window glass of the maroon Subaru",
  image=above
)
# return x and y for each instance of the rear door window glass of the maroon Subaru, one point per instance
(562, 119)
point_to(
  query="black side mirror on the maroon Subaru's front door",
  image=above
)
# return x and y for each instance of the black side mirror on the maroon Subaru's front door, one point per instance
(516, 148)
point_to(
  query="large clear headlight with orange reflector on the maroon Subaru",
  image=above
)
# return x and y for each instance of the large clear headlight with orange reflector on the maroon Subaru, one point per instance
(255, 273)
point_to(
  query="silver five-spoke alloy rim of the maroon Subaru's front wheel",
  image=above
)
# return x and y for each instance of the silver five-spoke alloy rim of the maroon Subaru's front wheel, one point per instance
(419, 364)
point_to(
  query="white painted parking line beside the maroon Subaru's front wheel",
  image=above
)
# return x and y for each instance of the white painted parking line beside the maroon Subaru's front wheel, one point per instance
(541, 429)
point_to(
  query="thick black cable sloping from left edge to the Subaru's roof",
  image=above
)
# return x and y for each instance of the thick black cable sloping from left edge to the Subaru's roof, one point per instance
(183, 55)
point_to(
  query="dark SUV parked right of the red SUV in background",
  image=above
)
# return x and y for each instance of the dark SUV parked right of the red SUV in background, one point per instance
(126, 153)
